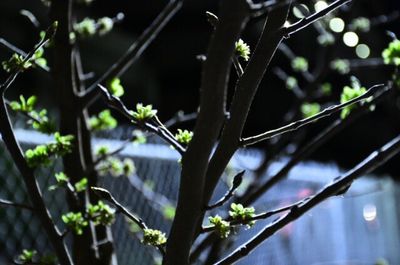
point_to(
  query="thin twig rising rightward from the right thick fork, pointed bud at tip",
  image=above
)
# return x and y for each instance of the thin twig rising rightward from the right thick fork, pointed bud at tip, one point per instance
(300, 123)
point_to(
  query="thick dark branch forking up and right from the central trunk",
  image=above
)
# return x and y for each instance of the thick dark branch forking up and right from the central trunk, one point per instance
(246, 88)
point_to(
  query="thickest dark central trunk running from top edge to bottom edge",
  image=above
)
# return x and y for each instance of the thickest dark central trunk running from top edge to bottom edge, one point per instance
(233, 17)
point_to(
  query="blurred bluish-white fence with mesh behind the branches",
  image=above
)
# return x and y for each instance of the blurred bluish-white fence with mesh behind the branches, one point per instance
(359, 228)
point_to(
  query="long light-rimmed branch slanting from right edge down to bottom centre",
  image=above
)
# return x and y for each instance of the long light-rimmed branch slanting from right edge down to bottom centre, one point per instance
(337, 187)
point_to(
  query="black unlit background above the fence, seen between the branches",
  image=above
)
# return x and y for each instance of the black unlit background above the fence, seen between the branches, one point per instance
(168, 73)
